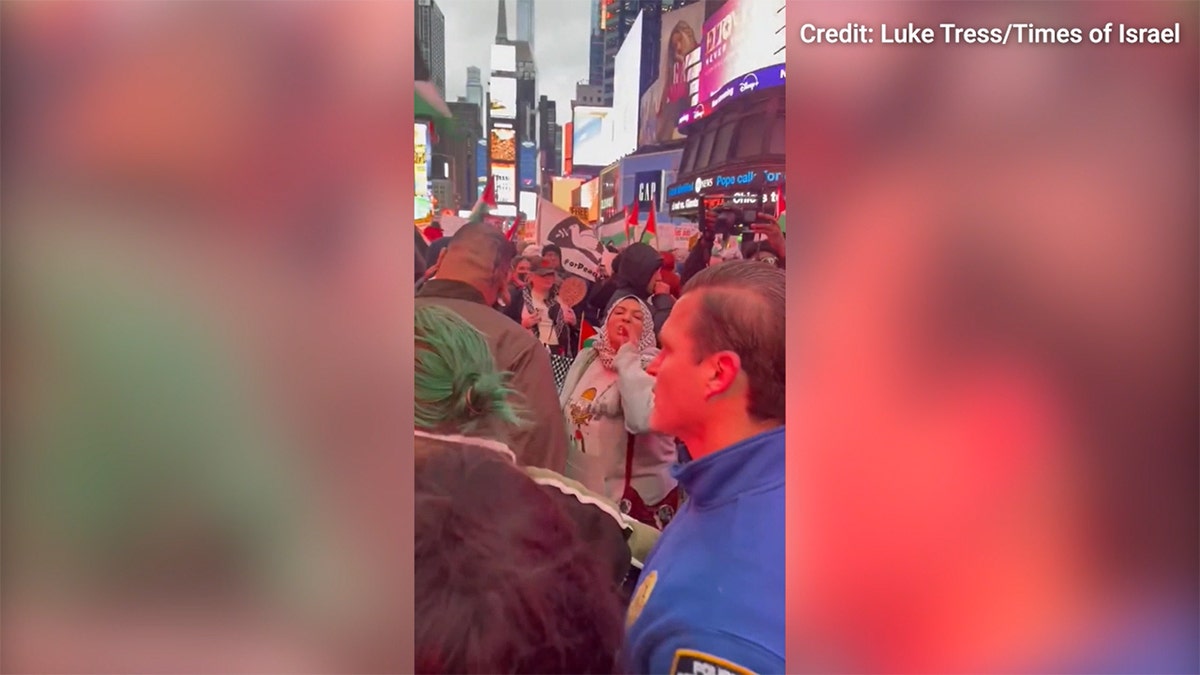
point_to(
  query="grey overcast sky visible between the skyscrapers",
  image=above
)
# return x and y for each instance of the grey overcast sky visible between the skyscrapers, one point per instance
(560, 44)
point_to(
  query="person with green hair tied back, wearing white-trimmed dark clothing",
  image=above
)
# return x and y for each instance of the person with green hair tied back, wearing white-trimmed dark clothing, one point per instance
(461, 397)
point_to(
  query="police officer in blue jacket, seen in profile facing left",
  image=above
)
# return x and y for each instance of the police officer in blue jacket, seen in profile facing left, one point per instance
(712, 594)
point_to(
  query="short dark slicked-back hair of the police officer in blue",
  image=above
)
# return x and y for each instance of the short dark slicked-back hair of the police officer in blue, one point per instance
(741, 309)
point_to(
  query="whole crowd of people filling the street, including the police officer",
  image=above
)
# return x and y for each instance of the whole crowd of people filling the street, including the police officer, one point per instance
(645, 479)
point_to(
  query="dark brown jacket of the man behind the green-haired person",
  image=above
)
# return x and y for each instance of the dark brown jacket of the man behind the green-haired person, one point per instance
(543, 441)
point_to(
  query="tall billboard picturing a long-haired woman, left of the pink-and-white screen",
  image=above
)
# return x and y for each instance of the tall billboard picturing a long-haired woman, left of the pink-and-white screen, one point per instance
(670, 97)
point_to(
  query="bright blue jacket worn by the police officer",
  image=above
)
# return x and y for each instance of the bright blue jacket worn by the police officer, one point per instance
(712, 593)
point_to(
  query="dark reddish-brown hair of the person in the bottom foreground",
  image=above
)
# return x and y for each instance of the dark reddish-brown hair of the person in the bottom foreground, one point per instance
(505, 583)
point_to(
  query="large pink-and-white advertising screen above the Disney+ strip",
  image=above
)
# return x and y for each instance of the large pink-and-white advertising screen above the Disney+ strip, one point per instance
(742, 38)
